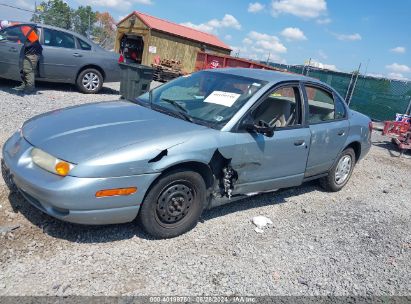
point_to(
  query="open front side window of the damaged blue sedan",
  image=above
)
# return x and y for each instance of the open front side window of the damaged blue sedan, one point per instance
(281, 108)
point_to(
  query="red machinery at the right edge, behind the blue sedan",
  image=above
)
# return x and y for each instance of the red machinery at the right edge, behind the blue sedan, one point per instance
(400, 132)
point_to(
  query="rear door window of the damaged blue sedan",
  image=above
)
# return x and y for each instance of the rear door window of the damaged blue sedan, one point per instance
(321, 105)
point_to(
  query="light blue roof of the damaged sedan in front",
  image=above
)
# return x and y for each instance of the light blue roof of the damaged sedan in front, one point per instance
(266, 75)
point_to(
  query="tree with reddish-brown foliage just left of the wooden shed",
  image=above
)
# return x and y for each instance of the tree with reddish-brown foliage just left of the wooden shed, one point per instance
(104, 31)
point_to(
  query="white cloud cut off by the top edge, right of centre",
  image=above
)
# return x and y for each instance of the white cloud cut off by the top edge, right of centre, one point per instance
(299, 8)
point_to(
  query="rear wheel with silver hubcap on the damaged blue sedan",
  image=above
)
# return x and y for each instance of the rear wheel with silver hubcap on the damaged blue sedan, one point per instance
(341, 172)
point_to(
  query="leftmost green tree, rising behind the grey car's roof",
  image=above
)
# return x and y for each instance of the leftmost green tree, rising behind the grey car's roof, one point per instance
(54, 12)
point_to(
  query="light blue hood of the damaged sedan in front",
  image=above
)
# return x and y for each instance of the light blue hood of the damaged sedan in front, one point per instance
(84, 132)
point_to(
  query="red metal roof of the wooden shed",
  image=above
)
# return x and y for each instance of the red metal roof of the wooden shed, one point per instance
(178, 30)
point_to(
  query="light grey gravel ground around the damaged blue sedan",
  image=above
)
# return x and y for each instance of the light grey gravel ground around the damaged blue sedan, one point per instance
(355, 242)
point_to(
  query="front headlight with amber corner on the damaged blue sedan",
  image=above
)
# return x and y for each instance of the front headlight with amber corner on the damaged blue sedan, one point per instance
(50, 163)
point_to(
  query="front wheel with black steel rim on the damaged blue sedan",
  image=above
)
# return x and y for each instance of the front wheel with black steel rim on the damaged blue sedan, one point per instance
(173, 205)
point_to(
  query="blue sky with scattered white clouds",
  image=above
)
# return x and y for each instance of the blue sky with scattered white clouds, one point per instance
(334, 34)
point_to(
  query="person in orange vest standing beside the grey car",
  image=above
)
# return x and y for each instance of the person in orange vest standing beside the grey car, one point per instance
(32, 51)
